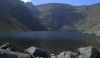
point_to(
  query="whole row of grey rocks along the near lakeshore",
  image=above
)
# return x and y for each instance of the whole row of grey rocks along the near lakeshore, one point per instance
(83, 52)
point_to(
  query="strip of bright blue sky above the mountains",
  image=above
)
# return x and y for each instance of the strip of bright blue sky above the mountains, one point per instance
(72, 2)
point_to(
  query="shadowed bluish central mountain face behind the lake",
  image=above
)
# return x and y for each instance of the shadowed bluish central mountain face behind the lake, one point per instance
(59, 17)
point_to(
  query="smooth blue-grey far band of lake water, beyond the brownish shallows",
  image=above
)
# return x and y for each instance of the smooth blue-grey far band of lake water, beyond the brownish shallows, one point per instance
(45, 35)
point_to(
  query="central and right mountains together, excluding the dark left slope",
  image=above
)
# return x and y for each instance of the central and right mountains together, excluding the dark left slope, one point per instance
(63, 17)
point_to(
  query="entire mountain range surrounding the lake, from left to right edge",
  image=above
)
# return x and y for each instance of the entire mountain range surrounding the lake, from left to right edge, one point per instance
(18, 16)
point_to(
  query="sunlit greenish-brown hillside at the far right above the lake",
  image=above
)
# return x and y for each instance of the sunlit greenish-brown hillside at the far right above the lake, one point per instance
(90, 24)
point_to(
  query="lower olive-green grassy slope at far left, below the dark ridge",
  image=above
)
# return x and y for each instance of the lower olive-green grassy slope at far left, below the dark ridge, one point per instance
(10, 24)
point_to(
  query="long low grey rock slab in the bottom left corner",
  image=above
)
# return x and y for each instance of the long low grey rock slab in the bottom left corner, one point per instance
(11, 54)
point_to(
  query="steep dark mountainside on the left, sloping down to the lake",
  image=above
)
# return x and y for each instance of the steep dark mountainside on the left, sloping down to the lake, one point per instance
(15, 16)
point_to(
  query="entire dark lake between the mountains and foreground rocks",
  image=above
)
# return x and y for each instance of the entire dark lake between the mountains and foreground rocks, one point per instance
(51, 41)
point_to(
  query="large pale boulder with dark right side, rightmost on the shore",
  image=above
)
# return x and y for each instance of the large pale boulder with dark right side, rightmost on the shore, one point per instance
(89, 52)
